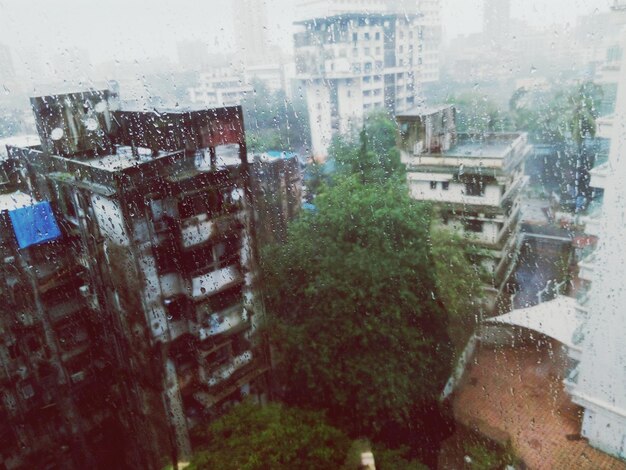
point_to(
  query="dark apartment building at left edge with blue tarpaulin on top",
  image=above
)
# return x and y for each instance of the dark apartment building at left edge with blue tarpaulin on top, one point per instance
(56, 376)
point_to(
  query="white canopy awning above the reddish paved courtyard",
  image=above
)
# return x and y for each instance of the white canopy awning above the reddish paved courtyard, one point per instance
(556, 318)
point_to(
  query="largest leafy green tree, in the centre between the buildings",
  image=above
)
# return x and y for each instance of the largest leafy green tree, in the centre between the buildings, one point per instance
(353, 297)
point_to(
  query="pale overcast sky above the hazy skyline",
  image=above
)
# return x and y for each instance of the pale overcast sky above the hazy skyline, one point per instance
(134, 29)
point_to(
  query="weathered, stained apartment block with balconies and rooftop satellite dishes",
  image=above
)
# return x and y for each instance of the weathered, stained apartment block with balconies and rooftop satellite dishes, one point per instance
(159, 206)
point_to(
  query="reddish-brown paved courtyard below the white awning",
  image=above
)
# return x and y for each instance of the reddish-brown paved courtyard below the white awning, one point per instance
(518, 393)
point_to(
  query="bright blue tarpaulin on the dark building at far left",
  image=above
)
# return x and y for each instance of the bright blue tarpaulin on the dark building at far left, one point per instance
(34, 224)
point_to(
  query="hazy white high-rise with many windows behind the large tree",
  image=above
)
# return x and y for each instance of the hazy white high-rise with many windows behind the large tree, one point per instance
(354, 56)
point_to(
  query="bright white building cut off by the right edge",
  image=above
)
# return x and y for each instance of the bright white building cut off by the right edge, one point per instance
(597, 381)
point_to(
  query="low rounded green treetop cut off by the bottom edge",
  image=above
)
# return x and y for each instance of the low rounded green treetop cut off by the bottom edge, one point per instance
(253, 437)
